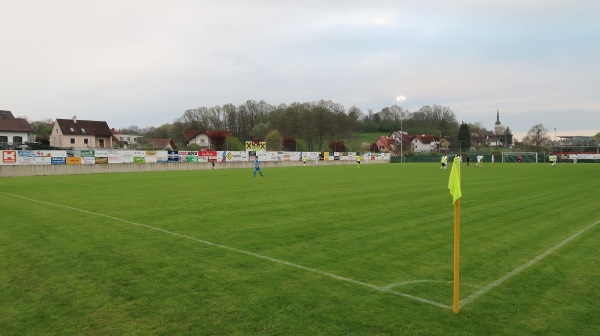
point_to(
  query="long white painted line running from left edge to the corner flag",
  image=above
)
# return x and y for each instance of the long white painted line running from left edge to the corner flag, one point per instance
(331, 275)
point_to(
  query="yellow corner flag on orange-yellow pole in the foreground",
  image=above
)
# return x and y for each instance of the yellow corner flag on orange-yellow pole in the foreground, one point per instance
(454, 186)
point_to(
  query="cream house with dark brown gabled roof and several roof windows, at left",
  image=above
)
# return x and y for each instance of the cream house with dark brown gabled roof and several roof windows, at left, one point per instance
(81, 134)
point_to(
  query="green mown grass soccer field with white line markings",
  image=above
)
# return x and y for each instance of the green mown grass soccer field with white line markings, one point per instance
(327, 250)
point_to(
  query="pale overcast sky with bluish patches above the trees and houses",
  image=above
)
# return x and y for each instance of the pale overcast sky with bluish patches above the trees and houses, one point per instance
(145, 62)
